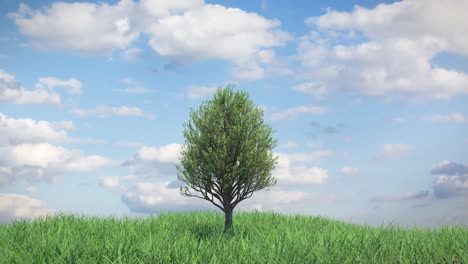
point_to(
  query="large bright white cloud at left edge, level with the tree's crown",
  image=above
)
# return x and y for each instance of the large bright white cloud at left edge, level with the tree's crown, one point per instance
(26, 151)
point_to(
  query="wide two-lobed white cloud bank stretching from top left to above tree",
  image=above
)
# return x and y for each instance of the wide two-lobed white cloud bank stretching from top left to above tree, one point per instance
(182, 31)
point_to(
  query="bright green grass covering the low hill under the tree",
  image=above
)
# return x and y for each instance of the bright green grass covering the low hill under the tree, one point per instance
(197, 237)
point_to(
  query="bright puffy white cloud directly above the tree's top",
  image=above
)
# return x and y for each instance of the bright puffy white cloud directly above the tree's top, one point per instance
(217, 32)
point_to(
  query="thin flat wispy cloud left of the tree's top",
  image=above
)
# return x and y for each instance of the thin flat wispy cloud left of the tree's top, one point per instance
(106, 111)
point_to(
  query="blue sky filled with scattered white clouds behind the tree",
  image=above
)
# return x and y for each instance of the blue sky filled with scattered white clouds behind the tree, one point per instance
(367, 100)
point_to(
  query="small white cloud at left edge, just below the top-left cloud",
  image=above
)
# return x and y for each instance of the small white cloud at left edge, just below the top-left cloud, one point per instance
(12, 92)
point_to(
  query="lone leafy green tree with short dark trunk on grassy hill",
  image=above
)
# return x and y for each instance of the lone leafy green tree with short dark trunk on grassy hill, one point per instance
(227, 153)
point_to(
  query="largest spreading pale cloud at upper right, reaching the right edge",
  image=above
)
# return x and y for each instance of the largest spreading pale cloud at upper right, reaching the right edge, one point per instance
(394, 59)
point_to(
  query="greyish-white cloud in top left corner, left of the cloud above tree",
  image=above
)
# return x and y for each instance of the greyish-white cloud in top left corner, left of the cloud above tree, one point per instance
(79, 27)
